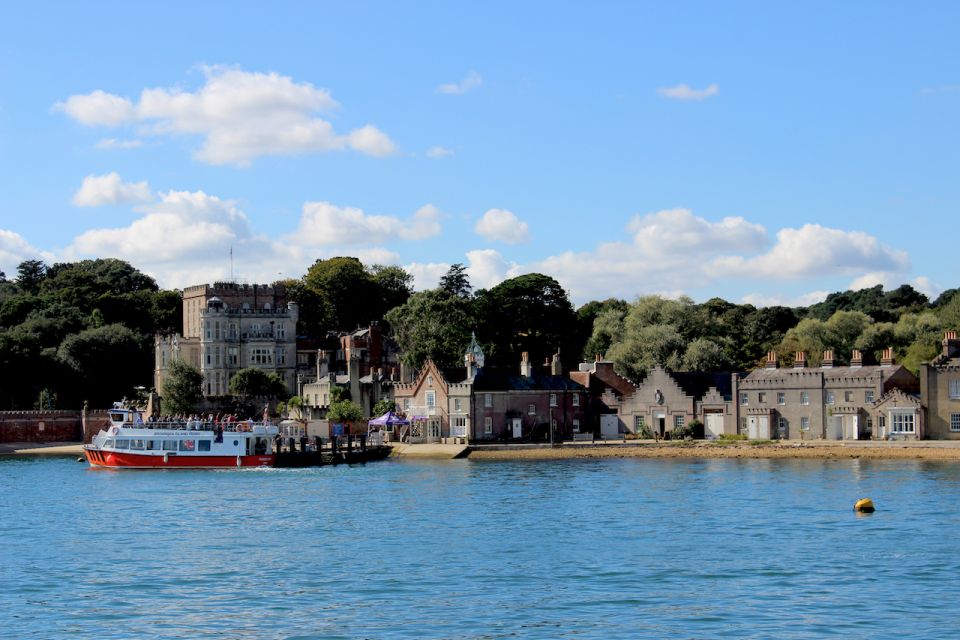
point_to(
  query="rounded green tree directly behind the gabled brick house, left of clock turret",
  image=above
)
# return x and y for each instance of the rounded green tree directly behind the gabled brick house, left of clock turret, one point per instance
(432, 324)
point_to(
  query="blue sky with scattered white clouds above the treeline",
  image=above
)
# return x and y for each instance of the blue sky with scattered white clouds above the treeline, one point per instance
(760, 152)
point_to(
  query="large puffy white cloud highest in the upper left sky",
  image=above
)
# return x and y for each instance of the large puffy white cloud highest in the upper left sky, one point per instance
(240, 115)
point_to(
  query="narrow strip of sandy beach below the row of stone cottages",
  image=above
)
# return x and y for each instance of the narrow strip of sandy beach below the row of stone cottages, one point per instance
(879, 450)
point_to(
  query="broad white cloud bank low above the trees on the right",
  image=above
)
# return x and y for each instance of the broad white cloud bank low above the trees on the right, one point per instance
(673, 250)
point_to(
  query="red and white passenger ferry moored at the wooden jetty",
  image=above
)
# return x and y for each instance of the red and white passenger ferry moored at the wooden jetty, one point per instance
(129, 442)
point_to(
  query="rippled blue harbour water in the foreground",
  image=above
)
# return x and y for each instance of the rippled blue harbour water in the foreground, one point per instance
(616, 548)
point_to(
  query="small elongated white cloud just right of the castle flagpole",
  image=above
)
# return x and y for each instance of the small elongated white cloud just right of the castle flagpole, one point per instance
(323, 223)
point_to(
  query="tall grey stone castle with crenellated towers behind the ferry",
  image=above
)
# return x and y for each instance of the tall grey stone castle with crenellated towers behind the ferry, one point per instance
(228, 327)
